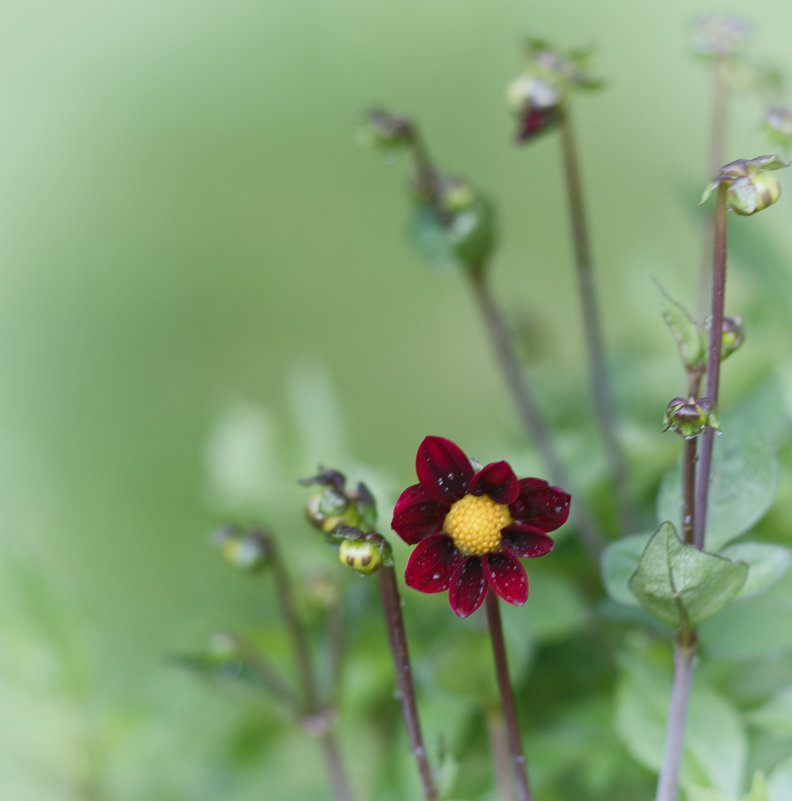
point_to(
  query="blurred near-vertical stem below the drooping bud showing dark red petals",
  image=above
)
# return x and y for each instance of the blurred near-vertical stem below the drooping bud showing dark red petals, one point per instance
(600, 383)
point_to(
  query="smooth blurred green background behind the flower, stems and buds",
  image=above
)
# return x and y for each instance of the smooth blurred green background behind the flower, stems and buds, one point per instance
(207, 289)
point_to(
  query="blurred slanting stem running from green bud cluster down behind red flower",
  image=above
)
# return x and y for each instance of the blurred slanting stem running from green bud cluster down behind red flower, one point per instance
(527, 407)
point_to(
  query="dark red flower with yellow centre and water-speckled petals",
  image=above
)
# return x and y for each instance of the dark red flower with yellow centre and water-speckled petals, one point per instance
(470, 528)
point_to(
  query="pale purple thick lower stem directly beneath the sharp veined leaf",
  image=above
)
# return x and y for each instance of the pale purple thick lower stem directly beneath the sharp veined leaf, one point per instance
(684, 656)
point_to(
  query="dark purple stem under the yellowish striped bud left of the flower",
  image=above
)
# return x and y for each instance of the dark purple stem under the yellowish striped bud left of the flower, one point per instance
(405, 689)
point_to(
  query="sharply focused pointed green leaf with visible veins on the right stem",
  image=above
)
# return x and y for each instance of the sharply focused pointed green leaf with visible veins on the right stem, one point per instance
(681, 585)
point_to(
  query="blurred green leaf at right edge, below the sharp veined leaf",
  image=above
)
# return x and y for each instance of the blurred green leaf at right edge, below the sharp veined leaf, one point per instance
(754, 628)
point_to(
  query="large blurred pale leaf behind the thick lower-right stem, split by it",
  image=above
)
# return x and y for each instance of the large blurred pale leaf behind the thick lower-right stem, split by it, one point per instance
(715, 743)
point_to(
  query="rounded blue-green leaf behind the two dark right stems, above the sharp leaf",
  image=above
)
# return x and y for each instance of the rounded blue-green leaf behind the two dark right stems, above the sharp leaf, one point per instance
(743, 484)
